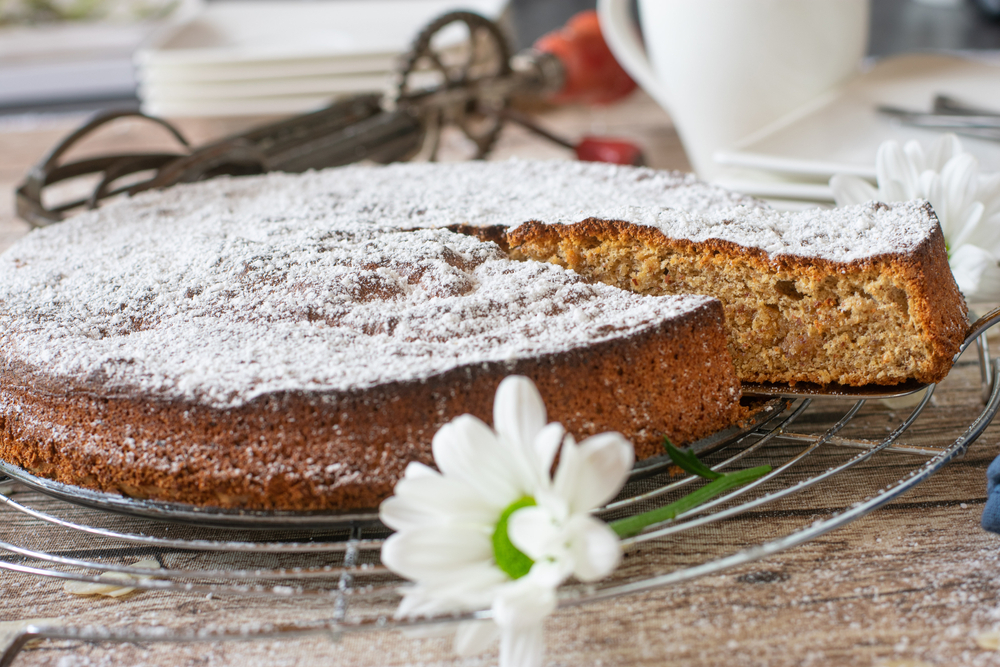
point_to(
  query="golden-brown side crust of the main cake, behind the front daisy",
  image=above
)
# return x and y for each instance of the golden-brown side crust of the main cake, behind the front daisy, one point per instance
(343, 450)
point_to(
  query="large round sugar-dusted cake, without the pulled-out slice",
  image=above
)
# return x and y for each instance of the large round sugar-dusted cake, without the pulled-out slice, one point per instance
(292, 342)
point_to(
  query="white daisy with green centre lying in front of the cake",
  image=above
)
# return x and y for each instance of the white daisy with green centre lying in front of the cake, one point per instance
(494, 529)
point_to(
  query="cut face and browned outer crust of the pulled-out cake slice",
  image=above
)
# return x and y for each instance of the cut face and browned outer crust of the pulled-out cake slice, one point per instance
(916, 287)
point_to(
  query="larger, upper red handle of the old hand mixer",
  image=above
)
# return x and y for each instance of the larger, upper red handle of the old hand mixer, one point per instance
(593, 76)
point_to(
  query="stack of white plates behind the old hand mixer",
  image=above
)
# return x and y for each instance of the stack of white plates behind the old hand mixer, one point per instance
(263, 57)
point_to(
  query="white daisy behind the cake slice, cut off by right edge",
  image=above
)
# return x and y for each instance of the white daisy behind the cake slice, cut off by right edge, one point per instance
(967, 204)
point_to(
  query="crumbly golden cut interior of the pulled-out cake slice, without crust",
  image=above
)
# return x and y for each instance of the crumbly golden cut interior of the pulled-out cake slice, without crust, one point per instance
(784, 325)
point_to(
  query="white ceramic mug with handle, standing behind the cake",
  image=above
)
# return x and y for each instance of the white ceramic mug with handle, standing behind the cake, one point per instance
(724, 69)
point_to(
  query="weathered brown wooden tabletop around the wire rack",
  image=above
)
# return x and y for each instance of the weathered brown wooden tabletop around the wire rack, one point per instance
(913, 584)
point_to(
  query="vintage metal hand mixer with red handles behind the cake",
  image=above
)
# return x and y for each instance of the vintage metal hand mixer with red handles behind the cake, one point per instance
(470, 87)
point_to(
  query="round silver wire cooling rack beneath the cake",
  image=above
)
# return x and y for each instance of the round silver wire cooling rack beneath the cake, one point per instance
(827, 472)
